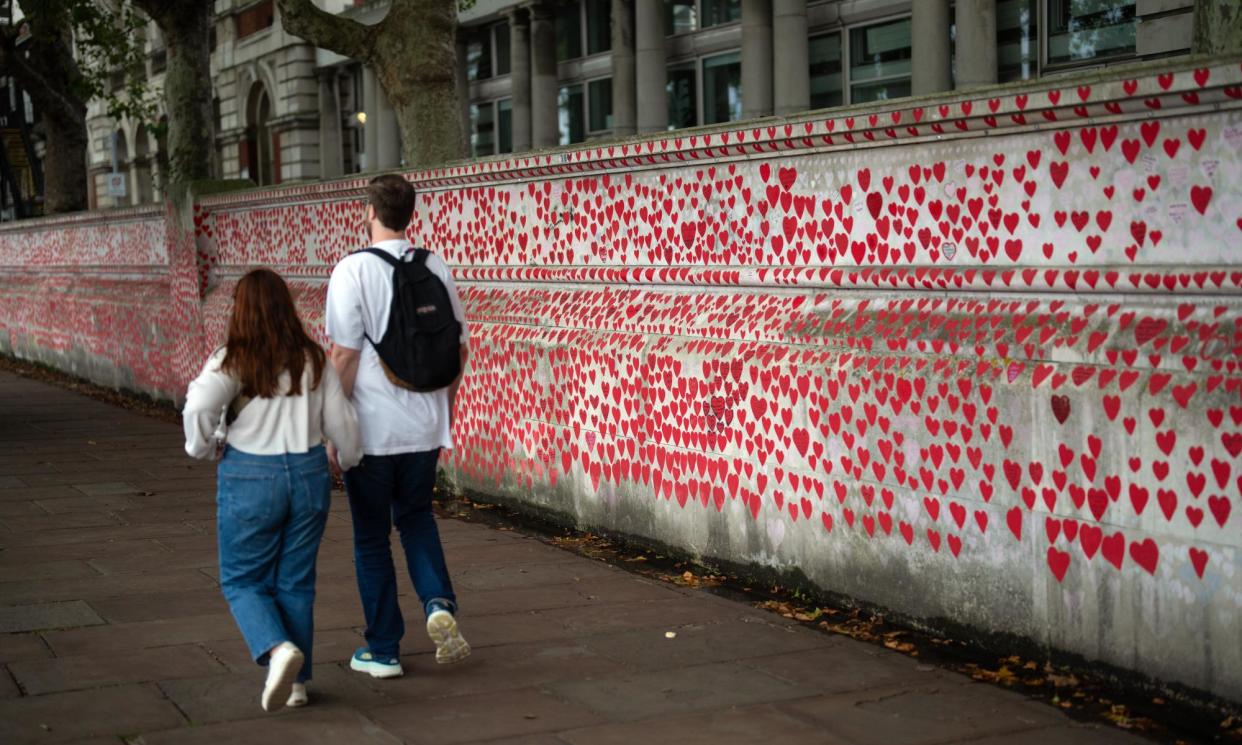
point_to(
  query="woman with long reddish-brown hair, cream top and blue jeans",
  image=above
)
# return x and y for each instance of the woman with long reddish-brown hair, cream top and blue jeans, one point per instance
(280, 399)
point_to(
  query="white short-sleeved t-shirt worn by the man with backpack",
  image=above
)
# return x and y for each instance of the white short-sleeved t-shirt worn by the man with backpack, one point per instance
(360, 297)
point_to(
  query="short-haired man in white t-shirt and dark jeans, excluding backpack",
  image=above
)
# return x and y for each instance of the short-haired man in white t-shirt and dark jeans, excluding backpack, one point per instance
(403, 434)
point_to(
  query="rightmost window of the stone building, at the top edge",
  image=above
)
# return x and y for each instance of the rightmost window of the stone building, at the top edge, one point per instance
(1090, 29)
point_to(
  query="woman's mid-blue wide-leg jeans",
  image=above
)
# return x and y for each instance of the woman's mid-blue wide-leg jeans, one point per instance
(271, 515)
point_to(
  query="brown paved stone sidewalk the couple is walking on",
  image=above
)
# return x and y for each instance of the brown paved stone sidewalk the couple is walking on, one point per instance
(112, 630)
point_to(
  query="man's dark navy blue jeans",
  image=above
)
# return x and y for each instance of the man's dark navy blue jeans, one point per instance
(387, 491)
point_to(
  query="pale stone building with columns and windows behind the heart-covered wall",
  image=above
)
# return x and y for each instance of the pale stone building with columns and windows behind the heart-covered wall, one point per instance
(556, 73)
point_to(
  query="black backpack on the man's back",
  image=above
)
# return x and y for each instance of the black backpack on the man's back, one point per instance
(422, 348)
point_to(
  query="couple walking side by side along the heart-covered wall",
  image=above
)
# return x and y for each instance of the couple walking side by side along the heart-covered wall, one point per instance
(292, 412)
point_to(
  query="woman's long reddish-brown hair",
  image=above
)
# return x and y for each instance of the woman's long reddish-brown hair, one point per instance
(266, 338)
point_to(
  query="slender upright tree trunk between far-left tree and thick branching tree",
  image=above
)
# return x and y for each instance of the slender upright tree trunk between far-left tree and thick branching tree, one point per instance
(187, 28)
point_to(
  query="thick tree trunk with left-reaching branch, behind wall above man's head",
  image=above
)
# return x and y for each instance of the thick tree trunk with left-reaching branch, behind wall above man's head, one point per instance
(413, 53)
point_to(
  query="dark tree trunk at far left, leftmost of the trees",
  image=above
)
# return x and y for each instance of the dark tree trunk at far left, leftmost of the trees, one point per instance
(47, 70)
